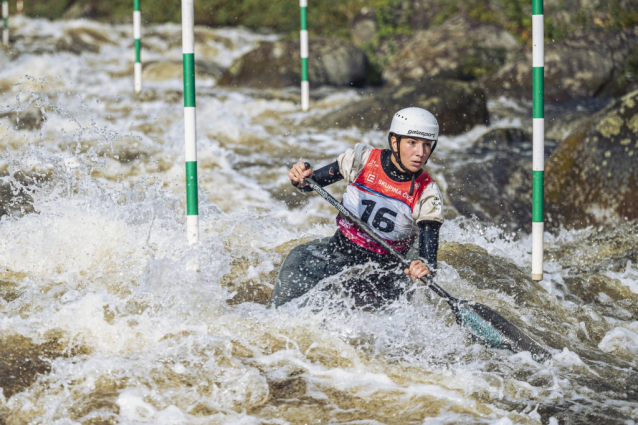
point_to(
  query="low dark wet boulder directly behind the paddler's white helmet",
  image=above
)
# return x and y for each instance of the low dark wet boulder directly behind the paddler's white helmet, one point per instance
(457, 105)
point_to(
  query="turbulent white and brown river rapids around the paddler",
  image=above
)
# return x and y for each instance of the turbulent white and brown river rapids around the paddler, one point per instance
(107, 316)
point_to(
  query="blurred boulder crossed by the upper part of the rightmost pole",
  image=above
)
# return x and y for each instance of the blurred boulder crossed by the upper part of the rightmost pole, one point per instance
(578, 68)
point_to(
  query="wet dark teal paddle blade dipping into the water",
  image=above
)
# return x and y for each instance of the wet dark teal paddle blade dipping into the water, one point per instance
(496, 331)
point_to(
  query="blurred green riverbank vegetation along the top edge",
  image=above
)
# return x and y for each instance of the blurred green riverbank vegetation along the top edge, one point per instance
(332, 17)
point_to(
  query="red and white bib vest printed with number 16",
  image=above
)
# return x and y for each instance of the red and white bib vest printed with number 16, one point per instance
(384, 204)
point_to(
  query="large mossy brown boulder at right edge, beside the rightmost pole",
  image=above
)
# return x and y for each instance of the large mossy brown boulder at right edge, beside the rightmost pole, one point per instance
(592, 177)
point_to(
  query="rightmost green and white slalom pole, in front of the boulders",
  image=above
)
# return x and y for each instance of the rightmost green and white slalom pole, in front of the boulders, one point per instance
(538, 63)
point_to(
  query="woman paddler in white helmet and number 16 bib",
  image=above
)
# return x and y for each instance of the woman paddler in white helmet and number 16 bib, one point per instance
(388, 190)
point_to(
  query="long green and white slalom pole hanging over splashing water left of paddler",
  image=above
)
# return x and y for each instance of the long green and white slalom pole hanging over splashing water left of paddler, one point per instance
(190, 132)
